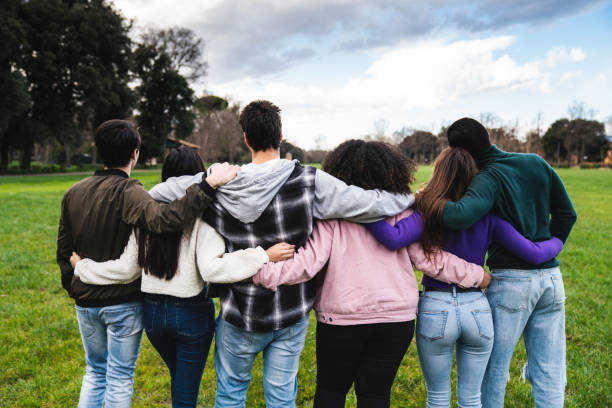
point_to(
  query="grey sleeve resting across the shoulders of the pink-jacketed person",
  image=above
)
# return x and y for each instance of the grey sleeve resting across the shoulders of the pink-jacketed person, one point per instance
(336, 199)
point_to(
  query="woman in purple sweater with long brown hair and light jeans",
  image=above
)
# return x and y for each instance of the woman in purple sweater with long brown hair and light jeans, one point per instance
(448, 315)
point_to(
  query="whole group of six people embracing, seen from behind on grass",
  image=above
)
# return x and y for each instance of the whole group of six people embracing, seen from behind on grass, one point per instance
(274, 239)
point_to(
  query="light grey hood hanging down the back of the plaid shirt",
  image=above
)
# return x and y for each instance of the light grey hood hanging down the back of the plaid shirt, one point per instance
(248, 195)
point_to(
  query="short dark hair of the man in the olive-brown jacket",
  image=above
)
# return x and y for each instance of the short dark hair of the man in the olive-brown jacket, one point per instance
(116, 140)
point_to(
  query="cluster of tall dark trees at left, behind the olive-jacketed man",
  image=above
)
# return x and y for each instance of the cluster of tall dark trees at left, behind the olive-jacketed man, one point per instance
(68, 65)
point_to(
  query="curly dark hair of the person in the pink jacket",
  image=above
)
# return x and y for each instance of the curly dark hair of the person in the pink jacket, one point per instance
(371, 165)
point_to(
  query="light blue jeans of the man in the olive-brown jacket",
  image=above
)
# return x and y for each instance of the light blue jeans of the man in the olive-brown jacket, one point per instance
(111, 338)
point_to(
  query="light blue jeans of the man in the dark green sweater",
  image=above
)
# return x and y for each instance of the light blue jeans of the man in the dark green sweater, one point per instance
(531, 303)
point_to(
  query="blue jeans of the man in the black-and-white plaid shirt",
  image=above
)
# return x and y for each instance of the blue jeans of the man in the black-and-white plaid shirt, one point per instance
(235, 352)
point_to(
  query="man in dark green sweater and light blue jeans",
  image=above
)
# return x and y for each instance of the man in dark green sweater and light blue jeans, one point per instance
(525, 299)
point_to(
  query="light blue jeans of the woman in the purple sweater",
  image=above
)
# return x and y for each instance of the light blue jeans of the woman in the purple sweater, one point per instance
(449, 320)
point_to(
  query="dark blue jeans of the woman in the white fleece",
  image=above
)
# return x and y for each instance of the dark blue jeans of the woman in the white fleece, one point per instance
(181, 331)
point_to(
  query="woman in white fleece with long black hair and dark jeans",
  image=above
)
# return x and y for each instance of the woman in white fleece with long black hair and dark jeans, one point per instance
(179, 317)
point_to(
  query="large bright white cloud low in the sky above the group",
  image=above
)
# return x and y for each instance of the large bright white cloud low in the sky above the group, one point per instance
(425, 75)
